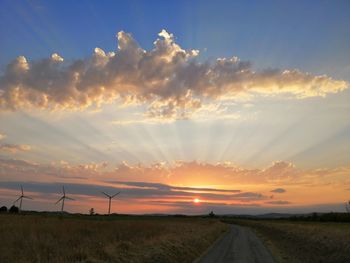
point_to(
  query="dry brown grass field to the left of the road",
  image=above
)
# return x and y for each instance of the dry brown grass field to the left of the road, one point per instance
(38, 238)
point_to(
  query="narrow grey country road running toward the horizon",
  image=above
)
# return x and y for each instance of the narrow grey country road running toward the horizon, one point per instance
(239, 245)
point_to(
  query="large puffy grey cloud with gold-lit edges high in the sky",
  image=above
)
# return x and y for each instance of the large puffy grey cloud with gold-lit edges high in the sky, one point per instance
(168, 79)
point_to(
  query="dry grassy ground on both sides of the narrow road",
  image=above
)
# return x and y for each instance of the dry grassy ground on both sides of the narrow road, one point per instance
(76, 238)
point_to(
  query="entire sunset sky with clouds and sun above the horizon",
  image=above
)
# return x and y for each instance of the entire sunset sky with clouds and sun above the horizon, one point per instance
(184, 106)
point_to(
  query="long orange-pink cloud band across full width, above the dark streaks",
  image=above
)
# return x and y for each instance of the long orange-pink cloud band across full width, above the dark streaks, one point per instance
(180, 173)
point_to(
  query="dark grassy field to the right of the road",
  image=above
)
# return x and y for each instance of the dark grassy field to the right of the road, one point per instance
(303, 241)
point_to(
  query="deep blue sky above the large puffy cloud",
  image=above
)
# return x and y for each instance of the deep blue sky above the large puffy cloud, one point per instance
(289, 34)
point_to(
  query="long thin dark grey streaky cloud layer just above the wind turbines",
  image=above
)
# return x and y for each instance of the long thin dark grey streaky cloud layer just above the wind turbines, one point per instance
(159, 192)
